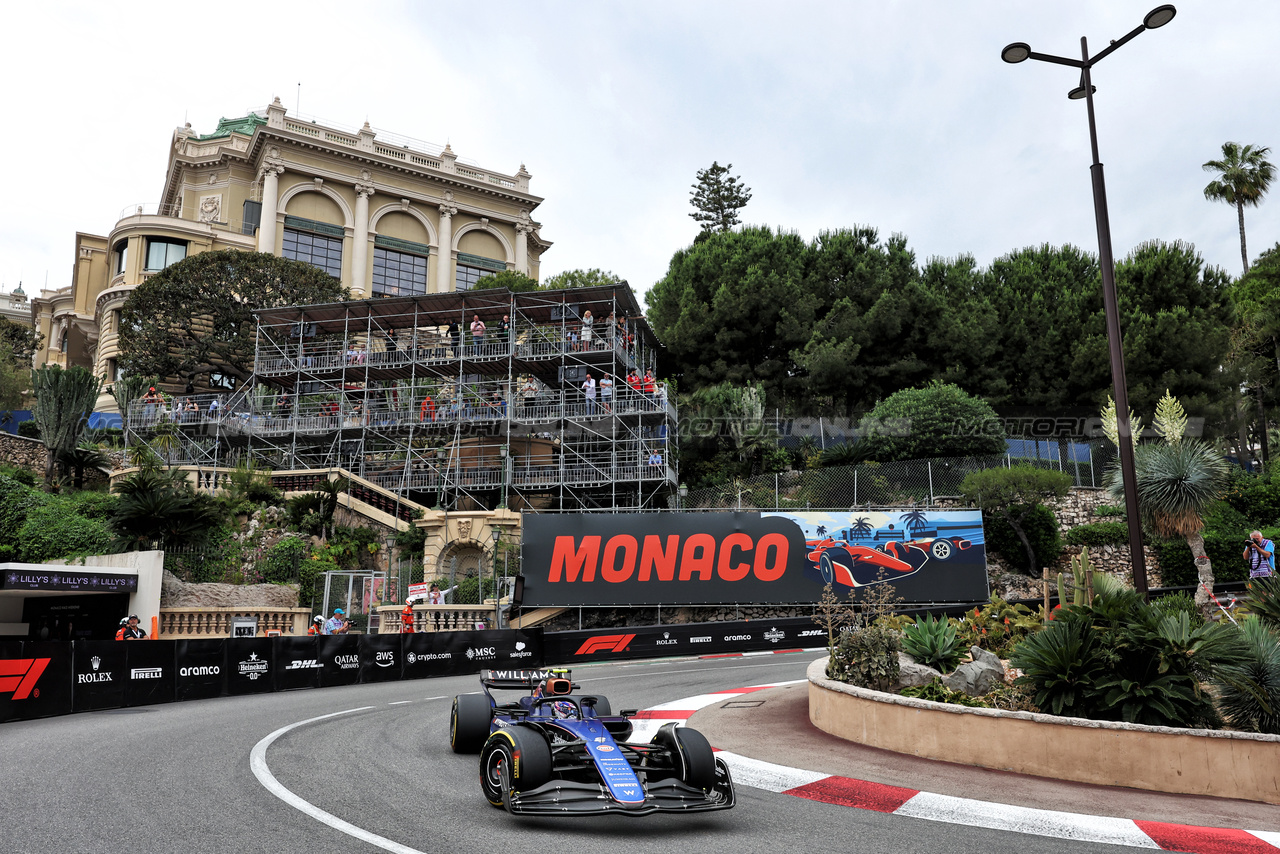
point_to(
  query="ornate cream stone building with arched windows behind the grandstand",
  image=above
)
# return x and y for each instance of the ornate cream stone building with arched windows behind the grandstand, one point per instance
(386, 214)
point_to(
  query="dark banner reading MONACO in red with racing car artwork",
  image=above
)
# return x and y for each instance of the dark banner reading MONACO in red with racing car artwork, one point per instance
(751, 558)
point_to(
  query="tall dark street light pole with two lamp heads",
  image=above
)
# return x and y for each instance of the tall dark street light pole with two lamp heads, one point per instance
(1021, 52)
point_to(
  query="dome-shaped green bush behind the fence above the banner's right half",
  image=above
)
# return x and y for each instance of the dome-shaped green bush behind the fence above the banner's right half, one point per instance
(939, 421)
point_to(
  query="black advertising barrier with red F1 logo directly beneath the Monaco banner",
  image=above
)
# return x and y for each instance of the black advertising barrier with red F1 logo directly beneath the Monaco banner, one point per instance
(566, 649)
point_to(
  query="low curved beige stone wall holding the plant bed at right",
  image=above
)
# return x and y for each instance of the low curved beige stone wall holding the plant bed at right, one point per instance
(1220, 764)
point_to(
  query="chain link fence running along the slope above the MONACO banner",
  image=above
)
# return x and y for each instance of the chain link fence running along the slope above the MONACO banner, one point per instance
(909, 482)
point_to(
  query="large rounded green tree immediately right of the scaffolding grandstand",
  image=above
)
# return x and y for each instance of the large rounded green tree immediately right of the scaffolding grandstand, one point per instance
(734, 308)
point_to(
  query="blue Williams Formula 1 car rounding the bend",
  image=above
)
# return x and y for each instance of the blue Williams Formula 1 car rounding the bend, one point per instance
(555, 753)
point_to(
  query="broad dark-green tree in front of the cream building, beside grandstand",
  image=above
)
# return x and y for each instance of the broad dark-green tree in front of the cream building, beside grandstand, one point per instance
(196, 317)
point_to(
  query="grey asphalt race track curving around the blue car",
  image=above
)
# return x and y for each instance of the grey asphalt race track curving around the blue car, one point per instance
(181, 779)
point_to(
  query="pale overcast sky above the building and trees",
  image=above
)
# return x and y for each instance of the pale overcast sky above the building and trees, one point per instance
(898, 116)
